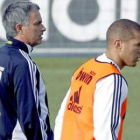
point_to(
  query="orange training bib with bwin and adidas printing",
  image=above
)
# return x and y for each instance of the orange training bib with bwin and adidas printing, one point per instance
(78, 121)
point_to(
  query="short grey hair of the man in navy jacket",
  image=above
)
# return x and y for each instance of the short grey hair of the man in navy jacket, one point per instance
(17, 13)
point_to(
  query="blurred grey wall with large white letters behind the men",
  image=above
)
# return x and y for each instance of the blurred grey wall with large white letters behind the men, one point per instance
(77, 26)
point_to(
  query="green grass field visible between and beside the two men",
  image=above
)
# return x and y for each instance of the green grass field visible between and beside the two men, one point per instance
(57, 72)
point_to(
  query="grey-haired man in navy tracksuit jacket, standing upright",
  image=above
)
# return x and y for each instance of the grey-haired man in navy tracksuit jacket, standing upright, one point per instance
(24, 114)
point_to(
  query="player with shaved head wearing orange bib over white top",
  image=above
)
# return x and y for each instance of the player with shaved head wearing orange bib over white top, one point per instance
(95, 105)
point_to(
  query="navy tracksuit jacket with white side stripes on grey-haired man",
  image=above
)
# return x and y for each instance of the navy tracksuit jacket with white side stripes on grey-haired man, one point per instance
(24, 113)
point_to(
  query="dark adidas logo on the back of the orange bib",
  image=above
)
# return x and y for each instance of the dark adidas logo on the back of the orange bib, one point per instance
(74, 102)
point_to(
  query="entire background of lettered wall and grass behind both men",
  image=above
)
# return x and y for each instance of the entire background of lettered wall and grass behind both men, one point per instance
(76, 32)
